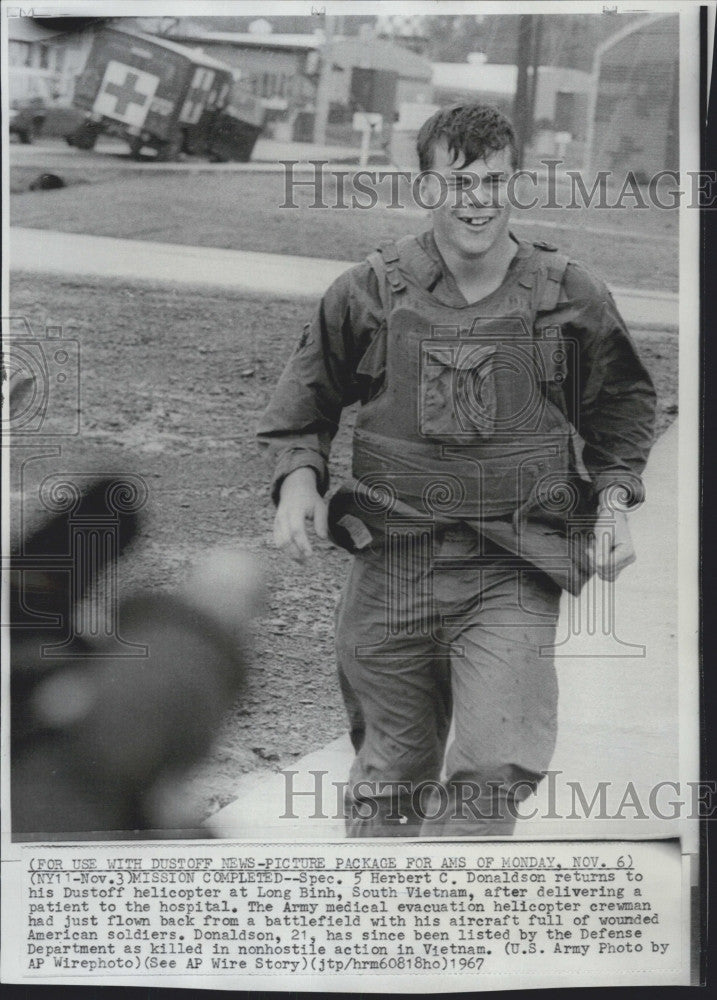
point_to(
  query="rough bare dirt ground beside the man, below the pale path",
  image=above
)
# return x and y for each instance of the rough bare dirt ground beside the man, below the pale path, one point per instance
(173, 381)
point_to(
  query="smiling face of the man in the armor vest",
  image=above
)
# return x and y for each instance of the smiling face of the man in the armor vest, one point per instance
(472, 213)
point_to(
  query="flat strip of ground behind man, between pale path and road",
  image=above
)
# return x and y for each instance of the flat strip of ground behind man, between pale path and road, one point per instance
(628, 248)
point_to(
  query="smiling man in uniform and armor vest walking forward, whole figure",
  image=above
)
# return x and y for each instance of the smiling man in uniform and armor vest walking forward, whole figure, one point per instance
(504, 421)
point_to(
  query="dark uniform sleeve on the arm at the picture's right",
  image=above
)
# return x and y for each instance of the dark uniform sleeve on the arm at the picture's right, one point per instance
(614, 408)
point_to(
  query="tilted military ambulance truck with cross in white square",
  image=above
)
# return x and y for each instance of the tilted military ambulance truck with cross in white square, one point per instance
(164, 97)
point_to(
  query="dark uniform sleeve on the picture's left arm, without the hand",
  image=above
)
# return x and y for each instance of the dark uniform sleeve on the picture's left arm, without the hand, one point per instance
(301, 420)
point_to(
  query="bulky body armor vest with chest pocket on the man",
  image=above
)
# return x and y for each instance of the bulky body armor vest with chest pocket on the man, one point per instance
(470, 416)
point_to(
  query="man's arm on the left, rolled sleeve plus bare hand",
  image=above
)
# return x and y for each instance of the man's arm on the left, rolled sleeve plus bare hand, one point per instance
(302, 418)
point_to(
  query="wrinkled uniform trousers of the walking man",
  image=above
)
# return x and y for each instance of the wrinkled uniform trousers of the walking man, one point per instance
(440, 627)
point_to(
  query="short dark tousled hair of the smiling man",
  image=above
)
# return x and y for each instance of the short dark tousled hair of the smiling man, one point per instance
(473, 130)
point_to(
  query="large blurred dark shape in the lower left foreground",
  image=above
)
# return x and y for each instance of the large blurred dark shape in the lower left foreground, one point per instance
(99, 740)
